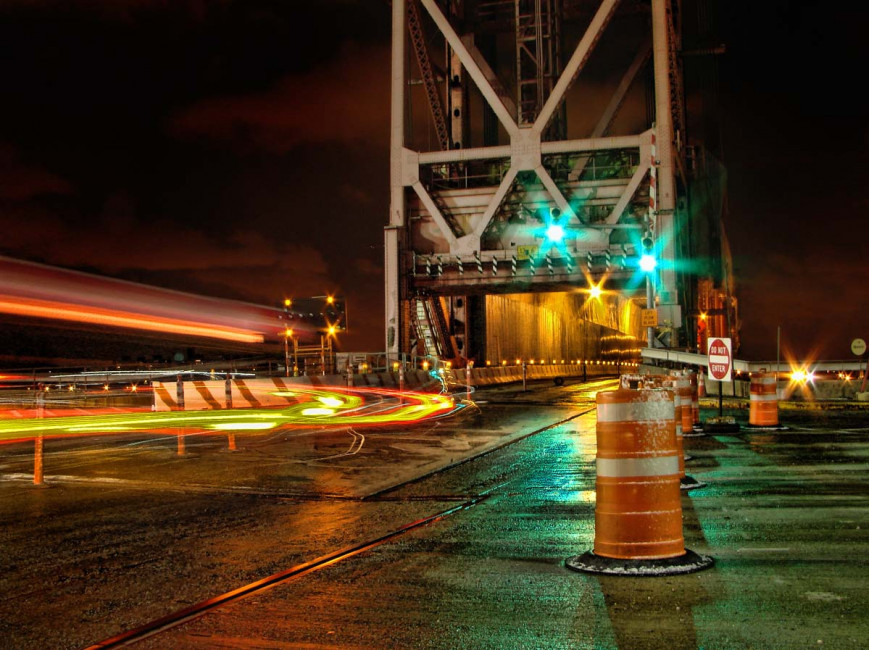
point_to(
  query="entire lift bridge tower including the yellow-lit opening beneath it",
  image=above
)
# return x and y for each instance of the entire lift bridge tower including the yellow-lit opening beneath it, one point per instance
(538, 149)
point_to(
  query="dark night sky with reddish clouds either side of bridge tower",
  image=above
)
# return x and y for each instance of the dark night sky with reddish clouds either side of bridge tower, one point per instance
(240, 149)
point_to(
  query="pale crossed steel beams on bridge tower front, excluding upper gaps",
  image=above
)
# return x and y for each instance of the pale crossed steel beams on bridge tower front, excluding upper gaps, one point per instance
(469, 220)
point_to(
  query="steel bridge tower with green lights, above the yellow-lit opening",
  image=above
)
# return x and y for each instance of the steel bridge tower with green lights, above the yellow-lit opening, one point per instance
(474, 215)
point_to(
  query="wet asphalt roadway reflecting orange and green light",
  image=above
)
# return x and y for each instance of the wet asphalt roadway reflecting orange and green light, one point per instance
(433, 549)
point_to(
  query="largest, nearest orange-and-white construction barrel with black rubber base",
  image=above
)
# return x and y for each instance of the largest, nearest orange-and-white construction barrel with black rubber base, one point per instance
(638, 511)
